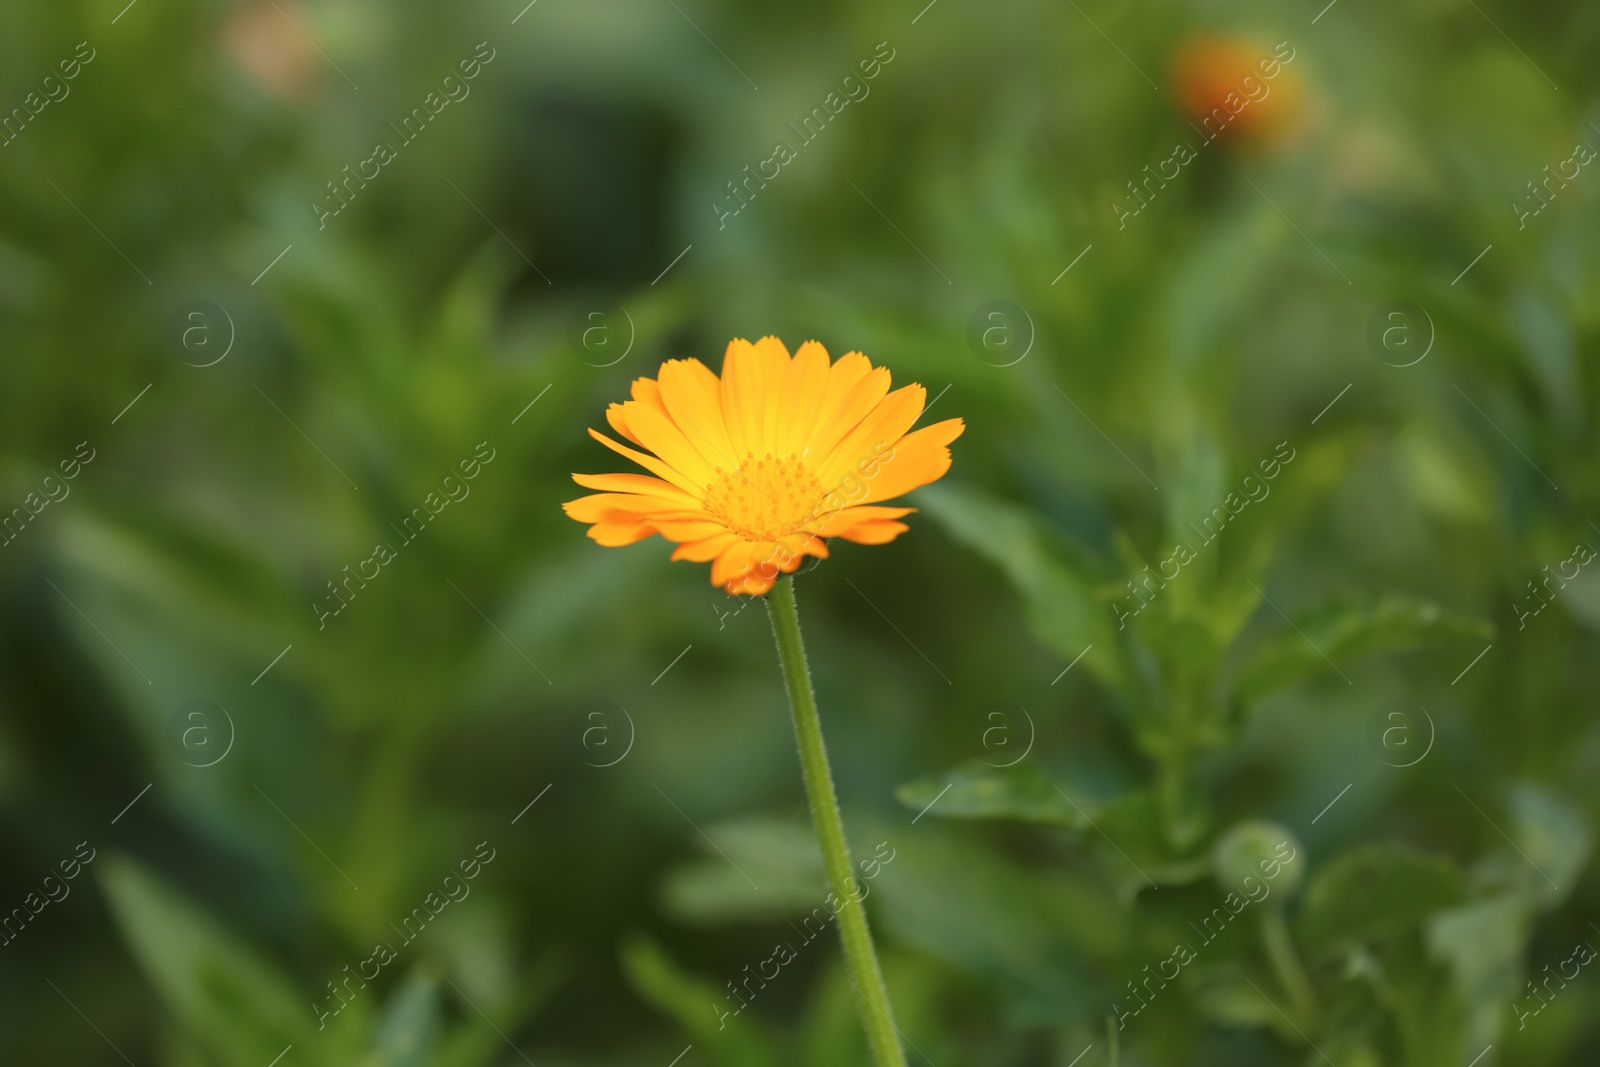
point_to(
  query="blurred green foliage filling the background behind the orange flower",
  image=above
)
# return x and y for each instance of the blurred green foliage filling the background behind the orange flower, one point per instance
(1028, 895)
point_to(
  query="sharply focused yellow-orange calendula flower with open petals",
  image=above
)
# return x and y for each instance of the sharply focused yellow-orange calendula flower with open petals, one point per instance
(754, 470)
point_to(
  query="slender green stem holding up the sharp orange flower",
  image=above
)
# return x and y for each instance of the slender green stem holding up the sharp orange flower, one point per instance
(862, 959)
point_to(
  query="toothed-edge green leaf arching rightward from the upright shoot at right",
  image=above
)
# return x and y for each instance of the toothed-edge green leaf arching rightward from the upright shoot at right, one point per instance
(1345, 631)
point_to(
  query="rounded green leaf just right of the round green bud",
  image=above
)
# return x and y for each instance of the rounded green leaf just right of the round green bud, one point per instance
(1375, 892)
